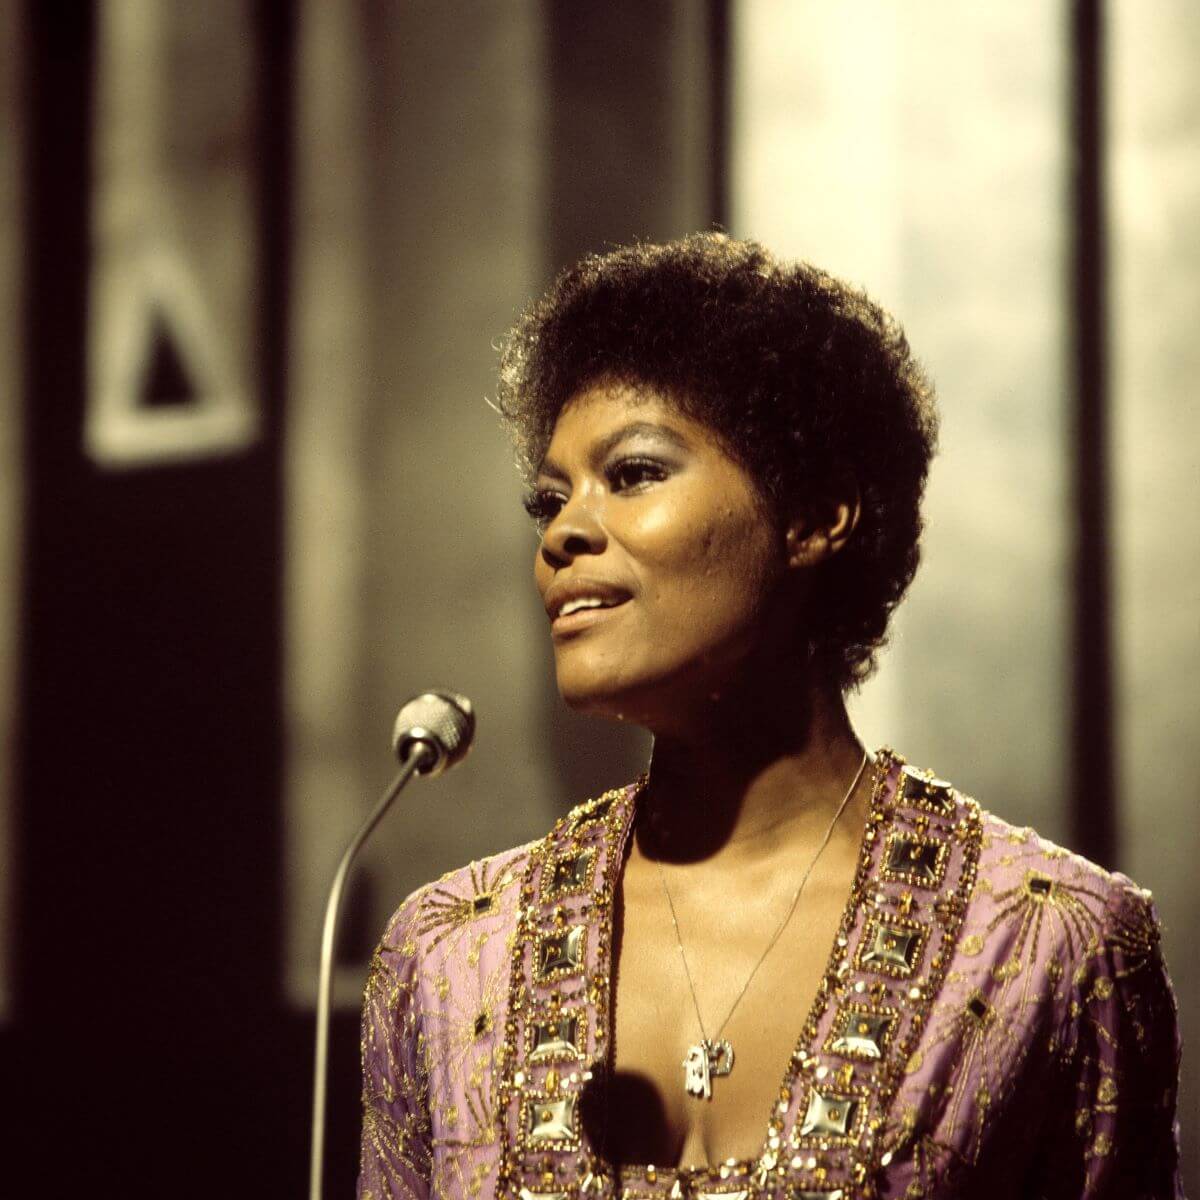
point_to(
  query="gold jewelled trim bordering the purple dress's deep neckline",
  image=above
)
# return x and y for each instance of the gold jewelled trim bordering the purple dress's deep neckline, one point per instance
(914, 878)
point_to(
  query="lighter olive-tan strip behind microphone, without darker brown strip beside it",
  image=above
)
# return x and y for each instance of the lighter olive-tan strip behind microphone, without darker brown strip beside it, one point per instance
(406, 527)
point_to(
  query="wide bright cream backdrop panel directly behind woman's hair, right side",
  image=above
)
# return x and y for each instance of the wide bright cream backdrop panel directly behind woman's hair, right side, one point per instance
(920, 151)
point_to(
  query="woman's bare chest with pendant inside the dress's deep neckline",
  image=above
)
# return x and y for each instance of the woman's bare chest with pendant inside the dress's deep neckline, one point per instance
(707, 1017)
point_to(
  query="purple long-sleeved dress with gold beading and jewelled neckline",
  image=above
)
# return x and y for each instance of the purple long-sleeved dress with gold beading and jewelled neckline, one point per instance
(995, 1021)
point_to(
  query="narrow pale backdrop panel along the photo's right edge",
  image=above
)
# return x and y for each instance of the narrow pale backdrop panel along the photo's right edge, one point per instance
(1154, 119)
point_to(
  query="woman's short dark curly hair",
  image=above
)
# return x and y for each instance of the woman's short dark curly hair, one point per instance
(801, 376)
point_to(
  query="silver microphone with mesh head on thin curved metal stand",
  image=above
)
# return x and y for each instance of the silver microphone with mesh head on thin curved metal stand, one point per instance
(433, 733)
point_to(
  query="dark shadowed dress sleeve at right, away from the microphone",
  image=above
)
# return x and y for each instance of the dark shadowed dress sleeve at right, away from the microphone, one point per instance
(1119, 1136)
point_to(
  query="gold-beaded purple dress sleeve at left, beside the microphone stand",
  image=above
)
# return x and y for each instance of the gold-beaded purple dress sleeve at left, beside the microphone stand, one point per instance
(395, 1157)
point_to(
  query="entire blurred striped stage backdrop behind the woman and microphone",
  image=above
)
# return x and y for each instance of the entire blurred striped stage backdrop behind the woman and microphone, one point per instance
(254, 261)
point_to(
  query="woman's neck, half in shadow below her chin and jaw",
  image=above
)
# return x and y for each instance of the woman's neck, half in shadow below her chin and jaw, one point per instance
(753, 782)
